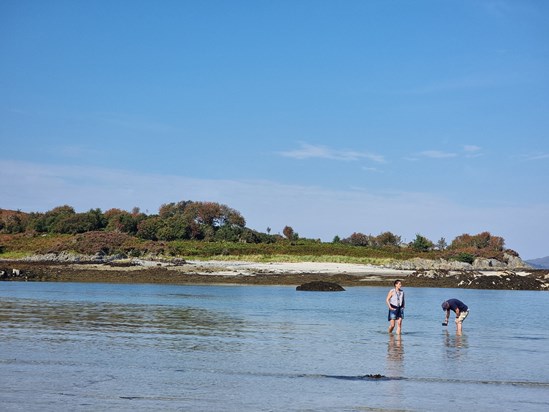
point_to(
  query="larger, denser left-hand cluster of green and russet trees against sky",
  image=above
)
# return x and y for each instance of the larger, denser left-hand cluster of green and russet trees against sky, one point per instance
(185, 220)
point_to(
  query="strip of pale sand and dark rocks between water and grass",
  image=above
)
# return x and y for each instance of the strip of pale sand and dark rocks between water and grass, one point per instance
(59, 268)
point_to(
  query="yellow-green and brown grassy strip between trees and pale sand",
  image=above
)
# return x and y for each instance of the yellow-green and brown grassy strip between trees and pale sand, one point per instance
(303, 250)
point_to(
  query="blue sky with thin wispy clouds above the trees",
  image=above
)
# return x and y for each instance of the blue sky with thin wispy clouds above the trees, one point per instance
(332, 117)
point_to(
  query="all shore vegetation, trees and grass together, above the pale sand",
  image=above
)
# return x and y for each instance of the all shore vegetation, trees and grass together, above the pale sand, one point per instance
(208, 230)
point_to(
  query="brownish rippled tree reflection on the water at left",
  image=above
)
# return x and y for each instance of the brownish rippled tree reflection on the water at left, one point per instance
(117, 319)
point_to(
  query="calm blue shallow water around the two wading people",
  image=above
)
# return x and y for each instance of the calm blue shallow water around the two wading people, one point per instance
(94, 347)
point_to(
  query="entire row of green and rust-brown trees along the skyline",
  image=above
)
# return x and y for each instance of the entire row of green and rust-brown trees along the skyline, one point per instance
(215, 222)
